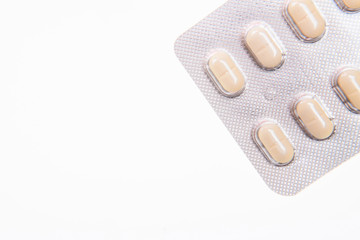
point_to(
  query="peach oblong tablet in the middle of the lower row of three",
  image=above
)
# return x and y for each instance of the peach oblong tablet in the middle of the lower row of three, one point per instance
(313, 117)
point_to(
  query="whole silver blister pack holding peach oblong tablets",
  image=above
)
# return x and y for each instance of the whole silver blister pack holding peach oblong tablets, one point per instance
(284, 77)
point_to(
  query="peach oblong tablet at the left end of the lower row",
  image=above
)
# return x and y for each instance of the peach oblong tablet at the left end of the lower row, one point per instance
(274, 143)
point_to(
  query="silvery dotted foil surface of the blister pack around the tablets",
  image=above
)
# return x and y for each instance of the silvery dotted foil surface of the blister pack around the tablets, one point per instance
(309, 67)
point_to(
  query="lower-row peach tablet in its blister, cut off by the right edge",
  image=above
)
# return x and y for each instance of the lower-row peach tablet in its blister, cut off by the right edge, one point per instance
(346, 83)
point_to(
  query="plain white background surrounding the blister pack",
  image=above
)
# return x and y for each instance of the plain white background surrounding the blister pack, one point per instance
(103, 135)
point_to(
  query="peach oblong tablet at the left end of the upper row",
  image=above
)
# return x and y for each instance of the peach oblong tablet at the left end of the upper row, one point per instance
(225, 73)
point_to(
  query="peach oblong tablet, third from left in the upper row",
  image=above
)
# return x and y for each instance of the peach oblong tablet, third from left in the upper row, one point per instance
(305, 19)
